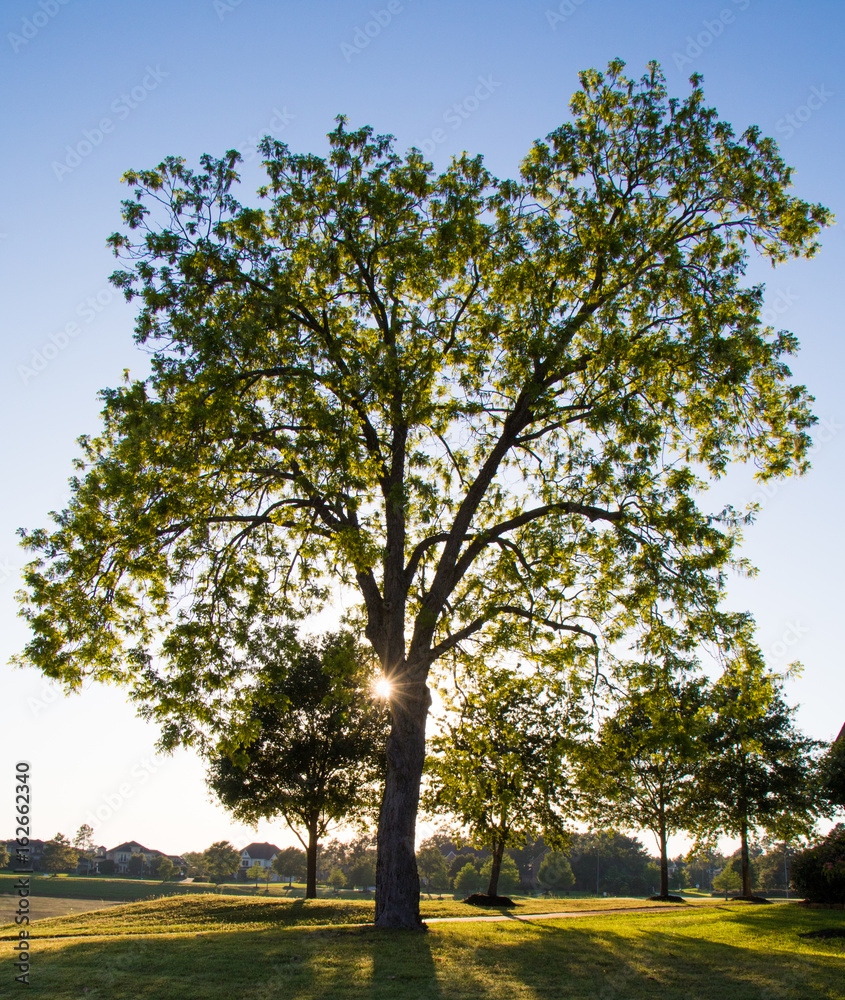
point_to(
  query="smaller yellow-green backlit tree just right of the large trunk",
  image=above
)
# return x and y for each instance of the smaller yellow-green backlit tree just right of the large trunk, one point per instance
(499, 764)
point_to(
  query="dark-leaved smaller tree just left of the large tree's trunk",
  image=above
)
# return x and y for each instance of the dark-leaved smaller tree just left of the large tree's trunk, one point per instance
(318, 751)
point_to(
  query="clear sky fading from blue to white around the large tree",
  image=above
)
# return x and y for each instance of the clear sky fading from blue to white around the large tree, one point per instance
(94, 88)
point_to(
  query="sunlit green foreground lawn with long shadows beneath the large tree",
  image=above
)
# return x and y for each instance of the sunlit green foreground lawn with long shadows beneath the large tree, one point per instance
(211, 949)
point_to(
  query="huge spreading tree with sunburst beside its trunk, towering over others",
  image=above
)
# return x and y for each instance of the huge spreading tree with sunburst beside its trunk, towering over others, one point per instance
(485, 404)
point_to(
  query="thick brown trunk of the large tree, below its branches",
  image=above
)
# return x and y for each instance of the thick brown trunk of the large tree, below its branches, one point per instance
(397, 879)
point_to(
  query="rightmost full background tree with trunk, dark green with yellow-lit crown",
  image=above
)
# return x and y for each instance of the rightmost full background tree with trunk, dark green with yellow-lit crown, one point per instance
(760, 773)
